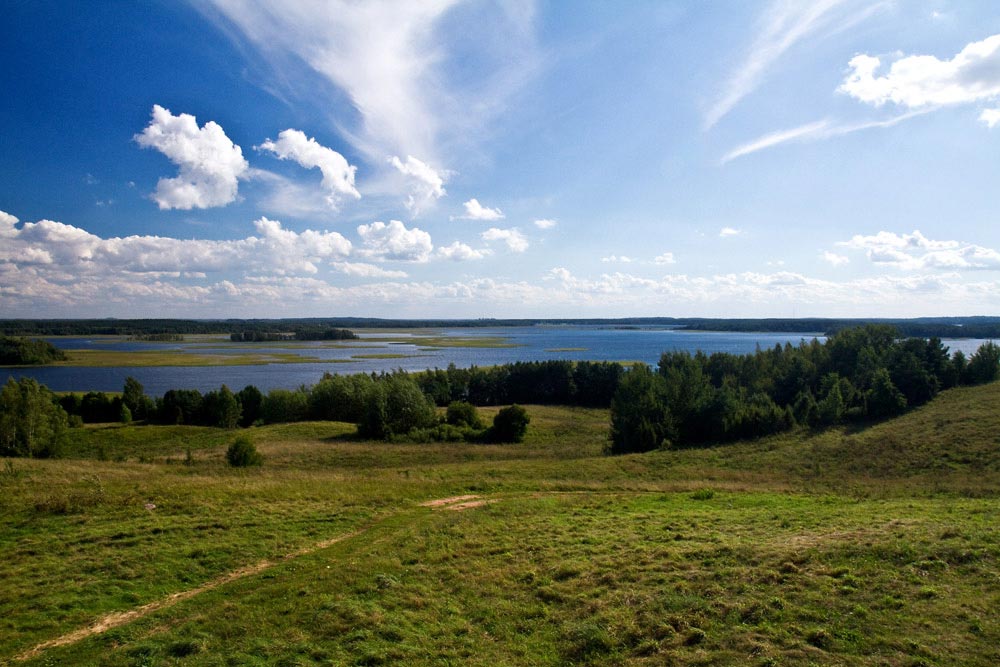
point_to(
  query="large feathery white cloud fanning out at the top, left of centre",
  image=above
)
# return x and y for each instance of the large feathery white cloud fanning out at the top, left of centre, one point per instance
(392, 61)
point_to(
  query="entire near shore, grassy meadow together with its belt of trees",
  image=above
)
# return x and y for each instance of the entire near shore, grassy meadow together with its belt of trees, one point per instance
(316, 526)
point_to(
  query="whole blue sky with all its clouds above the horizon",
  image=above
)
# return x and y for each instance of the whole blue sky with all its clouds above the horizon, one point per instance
(499, 159)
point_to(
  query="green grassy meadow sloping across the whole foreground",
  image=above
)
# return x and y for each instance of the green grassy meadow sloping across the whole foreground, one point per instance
(863, 546)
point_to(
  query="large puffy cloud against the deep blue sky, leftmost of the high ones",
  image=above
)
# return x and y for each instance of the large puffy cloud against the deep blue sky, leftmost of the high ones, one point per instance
(210, 165)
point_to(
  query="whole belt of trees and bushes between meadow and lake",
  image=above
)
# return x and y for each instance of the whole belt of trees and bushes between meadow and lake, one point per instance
(862, 373)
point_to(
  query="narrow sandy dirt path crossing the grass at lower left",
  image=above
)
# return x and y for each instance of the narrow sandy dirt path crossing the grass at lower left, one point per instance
(119, 618)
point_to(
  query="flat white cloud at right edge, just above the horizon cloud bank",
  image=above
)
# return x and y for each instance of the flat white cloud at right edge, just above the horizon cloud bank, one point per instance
(915, 251)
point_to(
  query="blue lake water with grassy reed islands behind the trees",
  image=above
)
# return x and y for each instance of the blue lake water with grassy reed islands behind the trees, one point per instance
(533, 344)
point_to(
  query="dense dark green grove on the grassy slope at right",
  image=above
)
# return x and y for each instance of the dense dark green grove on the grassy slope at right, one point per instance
(862, 373)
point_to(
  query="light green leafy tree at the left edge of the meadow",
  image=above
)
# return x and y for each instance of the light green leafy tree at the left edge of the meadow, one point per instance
(31, 421)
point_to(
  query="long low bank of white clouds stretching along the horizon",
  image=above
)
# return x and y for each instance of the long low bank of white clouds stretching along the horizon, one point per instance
(50, 269)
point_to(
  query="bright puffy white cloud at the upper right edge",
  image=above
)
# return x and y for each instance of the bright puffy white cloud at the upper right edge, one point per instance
(921, 81)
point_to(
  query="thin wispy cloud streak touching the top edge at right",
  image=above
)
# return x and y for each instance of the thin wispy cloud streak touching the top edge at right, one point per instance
(782, 25)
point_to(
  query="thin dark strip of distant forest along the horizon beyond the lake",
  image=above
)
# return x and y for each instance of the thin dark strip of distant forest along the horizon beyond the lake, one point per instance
(942, 327)
